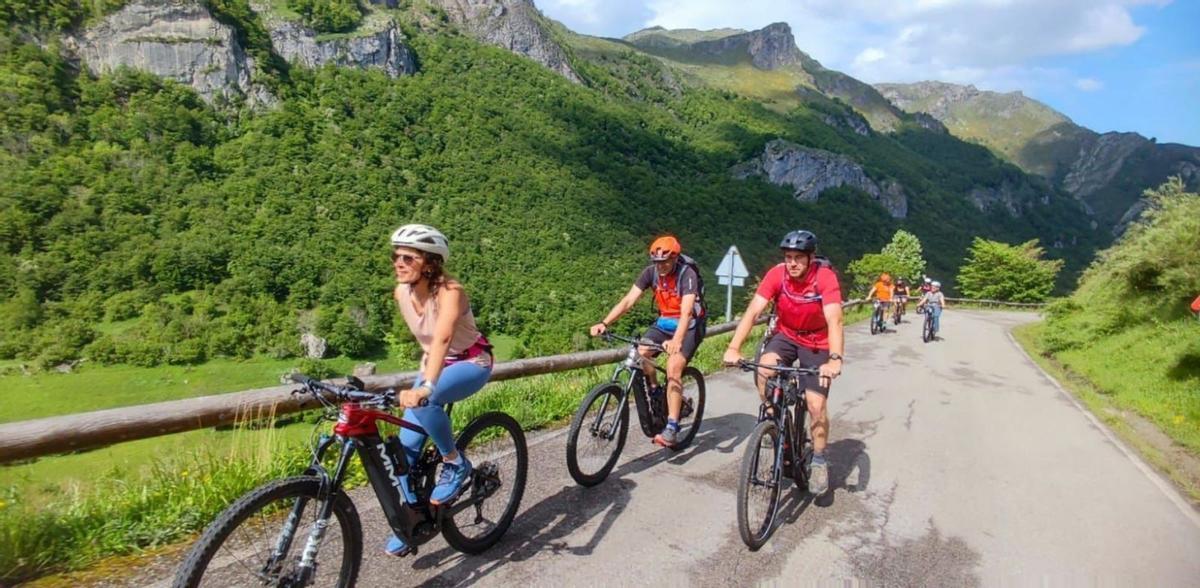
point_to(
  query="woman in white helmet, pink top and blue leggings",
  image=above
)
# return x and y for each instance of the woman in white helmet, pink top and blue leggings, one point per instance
(458, 358)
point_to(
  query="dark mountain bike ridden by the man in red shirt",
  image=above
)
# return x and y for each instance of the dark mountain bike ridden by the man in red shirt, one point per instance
(779, 446)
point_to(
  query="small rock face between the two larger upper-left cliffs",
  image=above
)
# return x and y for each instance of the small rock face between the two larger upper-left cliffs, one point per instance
(383, 49)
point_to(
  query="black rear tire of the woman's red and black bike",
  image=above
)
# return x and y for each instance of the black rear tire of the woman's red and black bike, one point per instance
(451, 525)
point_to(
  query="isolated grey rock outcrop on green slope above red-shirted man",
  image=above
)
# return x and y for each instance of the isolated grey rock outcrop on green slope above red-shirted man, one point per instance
(811, 172)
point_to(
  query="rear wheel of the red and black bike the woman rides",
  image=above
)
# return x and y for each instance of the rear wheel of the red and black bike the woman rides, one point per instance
(496, 447)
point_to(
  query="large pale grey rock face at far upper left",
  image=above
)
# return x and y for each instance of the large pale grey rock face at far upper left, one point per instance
(173, 39)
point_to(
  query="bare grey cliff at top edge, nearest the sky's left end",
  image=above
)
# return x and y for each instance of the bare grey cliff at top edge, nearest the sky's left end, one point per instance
(513, 25)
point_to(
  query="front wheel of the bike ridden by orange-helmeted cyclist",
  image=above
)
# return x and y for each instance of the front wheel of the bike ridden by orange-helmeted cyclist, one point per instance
(597, 436)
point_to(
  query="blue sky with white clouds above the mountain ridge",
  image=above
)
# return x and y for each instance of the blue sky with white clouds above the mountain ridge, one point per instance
(1111, 65)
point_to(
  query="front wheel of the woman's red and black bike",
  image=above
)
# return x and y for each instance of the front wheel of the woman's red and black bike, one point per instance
(261, 539)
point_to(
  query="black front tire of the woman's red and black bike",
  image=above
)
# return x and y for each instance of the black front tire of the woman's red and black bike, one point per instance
(195, 567)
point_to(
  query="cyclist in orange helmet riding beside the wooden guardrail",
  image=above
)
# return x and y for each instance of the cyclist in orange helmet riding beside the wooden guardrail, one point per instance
(680, 328)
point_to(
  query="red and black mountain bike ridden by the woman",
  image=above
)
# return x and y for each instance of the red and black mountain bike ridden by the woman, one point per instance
(305, 531)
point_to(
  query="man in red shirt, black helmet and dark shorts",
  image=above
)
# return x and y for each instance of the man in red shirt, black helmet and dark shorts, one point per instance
(809, 332)
